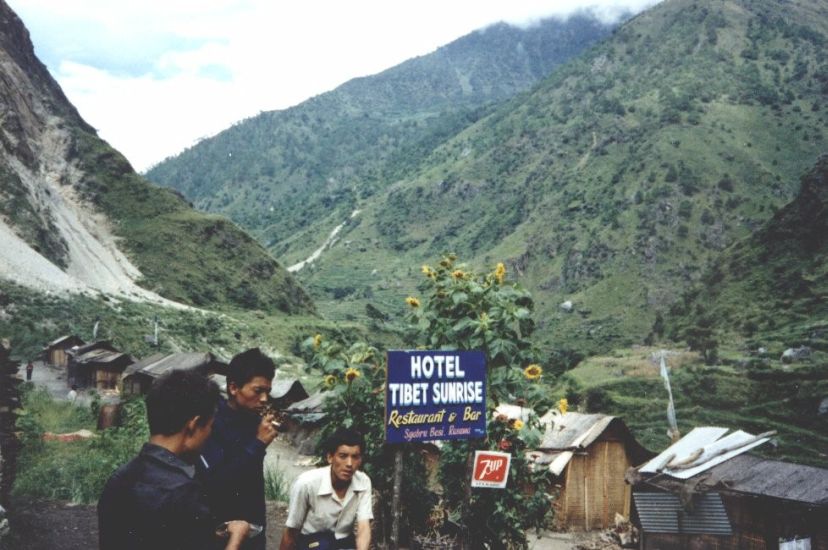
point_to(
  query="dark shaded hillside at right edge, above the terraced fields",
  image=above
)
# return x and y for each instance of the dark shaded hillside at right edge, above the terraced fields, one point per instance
(772, 287)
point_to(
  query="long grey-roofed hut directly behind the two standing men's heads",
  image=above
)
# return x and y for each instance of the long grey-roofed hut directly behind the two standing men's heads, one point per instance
(139, 377)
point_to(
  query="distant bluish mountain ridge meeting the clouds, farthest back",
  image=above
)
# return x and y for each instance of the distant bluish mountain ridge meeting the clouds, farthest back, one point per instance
(282, 172)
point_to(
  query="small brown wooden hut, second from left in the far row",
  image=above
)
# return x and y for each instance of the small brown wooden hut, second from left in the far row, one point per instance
(98, 365)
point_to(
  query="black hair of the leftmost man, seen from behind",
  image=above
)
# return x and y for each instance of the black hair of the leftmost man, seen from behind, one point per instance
(178, 396)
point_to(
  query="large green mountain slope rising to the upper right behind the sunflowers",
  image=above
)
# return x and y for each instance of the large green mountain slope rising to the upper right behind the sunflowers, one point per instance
(616, 181)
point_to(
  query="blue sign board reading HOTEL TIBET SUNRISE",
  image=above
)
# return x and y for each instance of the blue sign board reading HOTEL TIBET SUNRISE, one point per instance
(433, 395)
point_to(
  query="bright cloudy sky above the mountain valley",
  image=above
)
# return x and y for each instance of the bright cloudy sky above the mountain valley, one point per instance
(156, 76)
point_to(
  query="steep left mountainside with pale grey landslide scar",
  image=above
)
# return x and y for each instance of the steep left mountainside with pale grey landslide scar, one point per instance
(76, 217)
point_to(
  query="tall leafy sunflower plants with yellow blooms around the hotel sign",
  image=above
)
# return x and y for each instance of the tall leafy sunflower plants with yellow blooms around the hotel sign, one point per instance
(462, 310)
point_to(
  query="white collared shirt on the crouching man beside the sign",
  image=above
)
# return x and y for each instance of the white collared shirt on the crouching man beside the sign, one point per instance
(314, 505)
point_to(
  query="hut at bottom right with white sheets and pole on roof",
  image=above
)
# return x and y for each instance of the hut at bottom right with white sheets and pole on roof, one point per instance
(704, 492)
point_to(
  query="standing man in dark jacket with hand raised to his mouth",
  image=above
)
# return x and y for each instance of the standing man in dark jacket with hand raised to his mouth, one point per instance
(232, 461)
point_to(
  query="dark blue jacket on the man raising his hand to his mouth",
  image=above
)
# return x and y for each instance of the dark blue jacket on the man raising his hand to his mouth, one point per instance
(232, 469)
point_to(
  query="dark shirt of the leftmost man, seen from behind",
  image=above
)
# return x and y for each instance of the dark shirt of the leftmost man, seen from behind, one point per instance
(154, 502)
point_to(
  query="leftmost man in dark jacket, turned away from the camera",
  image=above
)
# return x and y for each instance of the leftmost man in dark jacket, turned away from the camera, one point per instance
(154, 502)
